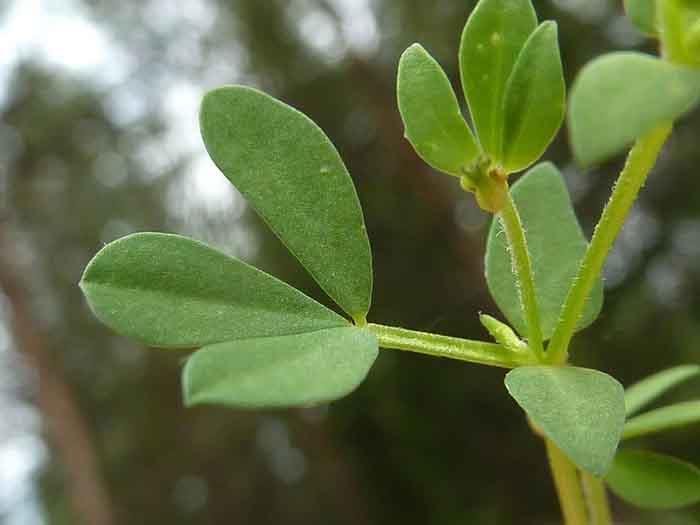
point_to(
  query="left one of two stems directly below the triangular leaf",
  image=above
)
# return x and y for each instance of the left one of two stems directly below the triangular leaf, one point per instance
(568, 485)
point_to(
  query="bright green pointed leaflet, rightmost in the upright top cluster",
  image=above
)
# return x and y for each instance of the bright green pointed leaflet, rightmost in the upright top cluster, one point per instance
(535, 99)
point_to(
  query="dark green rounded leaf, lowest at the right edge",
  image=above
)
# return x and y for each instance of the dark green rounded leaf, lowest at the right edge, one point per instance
(654, 481)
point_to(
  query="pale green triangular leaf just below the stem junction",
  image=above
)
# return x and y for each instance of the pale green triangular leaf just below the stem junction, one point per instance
(581, 410)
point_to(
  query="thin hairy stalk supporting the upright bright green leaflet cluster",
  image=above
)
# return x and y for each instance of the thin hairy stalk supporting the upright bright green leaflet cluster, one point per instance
(522, 267)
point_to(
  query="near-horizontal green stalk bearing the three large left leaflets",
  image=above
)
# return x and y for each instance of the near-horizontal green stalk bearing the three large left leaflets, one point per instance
(436, 345)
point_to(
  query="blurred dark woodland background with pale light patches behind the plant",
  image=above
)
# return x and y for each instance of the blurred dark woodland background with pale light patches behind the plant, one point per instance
(99, 138)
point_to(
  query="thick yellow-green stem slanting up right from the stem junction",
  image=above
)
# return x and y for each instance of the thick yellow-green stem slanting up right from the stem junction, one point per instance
(641, 159)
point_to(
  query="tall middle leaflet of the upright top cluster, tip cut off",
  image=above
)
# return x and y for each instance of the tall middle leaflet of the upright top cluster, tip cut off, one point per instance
(491, 41)
